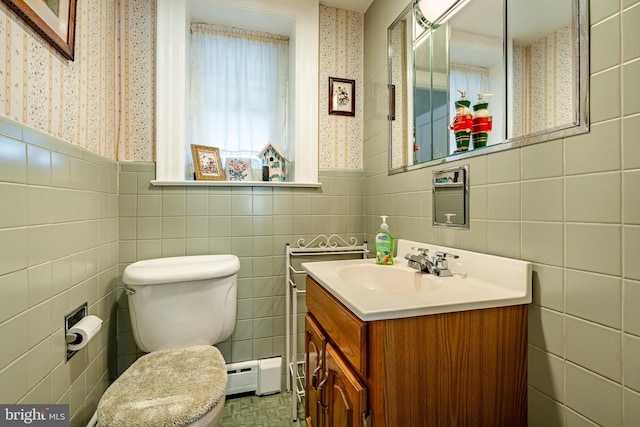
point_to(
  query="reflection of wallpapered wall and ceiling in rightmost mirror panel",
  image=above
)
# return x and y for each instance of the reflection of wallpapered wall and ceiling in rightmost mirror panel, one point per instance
(542, 66)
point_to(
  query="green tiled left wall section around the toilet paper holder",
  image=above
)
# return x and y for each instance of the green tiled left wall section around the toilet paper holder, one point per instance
(58, 250)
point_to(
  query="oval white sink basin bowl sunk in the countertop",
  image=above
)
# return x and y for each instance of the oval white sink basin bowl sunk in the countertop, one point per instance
(391, 279)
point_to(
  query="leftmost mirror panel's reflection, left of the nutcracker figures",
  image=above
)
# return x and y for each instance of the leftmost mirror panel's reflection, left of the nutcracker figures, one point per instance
(418, 84)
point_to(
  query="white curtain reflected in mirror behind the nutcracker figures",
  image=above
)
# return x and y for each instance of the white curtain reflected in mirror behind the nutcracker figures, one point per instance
(472, 81)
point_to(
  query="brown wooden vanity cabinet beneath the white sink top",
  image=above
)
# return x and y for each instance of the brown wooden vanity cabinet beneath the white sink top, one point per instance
(465, 368)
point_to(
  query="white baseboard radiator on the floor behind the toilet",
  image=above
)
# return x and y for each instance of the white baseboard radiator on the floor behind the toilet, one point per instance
(261, 376)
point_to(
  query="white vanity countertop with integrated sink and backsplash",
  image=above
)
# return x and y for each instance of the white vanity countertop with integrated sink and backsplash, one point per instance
(376, 292)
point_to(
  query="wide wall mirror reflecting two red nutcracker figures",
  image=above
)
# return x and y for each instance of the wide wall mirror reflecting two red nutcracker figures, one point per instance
(472, 77)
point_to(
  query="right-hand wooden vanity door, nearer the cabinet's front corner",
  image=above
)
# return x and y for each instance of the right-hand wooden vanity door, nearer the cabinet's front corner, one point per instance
(345, 397)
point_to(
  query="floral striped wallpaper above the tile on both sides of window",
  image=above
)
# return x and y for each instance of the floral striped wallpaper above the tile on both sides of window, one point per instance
(104, 100)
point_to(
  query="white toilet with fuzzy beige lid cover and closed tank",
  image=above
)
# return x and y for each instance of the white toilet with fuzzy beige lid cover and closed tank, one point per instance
(179, 308)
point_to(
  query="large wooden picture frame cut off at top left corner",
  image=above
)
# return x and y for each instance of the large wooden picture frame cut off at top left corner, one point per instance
(54, 20)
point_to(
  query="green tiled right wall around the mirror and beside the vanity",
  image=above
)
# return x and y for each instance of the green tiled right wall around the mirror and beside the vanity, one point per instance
(569, 206)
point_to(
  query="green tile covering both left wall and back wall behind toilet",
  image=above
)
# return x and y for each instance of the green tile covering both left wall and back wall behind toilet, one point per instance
(76, 220)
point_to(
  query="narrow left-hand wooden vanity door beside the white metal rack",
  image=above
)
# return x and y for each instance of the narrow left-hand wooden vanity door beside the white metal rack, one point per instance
(314, 343)
